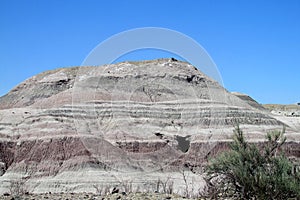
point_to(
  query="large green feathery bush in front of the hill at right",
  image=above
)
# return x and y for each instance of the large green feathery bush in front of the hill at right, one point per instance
(249, 172)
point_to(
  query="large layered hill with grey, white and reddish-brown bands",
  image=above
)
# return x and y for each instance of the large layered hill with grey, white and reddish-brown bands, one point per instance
(71, 128)
